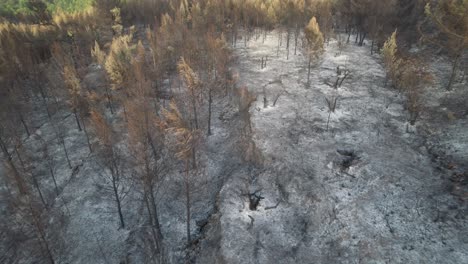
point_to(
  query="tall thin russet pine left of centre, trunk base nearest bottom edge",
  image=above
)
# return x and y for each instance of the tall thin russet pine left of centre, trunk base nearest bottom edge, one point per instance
(146, 142)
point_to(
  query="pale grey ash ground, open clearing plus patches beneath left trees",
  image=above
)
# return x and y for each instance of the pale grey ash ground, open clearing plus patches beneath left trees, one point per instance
(357, 185)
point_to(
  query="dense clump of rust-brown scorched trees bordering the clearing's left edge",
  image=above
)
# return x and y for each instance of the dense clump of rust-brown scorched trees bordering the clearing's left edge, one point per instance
(136, 75)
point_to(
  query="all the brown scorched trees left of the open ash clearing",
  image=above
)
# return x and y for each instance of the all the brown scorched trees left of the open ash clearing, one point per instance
(131, 99)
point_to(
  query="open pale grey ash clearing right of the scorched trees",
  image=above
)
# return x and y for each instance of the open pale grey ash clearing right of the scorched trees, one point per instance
(369, 189)
